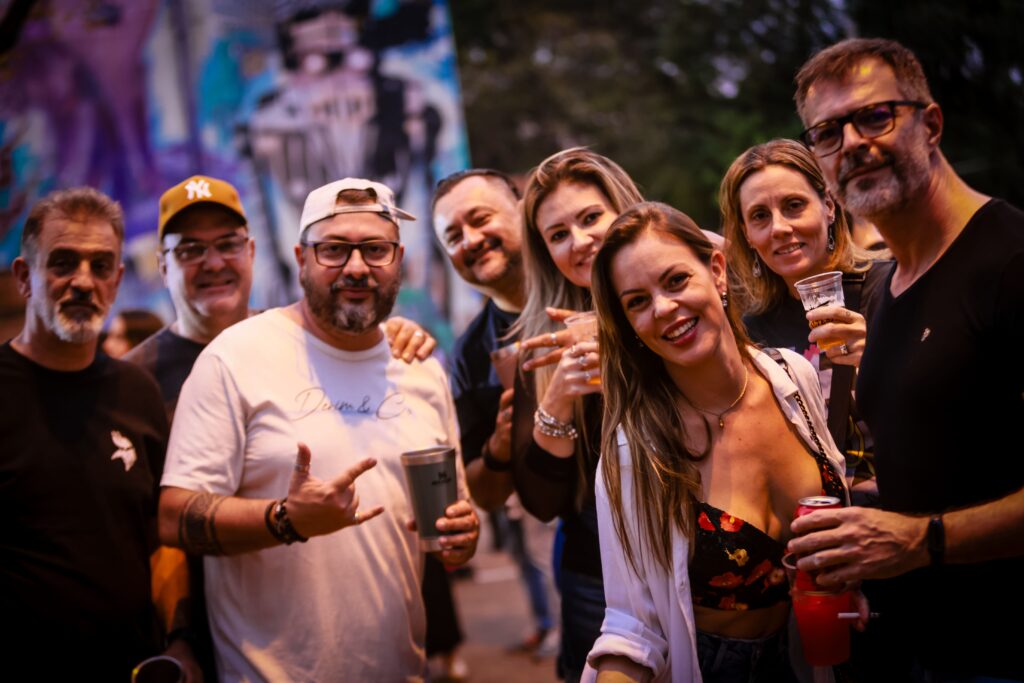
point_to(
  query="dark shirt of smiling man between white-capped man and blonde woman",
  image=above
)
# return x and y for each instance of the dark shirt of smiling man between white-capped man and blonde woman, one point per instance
(476, 388)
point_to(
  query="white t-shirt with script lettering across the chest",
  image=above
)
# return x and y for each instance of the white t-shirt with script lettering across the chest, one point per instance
(345, 607)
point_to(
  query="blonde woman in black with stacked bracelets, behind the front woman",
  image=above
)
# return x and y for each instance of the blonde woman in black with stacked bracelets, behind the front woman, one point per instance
(571, 200)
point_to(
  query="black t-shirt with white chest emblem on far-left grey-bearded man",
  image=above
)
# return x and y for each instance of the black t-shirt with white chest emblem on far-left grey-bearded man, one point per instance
(79, 472)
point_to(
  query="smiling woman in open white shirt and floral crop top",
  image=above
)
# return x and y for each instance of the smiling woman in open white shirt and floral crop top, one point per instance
(708, 444)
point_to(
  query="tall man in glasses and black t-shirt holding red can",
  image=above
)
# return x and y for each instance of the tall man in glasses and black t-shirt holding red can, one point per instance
(941, 385)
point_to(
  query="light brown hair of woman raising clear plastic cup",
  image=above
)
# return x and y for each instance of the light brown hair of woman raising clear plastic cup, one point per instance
(756, 295)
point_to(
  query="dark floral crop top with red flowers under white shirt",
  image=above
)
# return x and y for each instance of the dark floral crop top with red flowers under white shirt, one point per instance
(737, 566)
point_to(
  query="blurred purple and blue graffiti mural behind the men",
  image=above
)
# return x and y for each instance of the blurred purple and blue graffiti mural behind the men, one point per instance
(277, 97)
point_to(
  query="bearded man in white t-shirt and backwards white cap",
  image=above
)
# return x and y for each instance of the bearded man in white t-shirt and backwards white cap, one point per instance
(346, 606)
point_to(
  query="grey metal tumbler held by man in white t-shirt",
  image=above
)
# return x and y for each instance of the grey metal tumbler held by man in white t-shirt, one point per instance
(433, 488)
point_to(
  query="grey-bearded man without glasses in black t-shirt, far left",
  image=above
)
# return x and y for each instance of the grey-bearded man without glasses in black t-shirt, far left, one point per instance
(83, 439)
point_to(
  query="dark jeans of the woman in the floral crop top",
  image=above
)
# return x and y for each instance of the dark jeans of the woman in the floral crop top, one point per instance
(742, 661)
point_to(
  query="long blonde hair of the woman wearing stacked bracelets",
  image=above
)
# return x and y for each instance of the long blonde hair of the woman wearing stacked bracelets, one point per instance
(545, 283)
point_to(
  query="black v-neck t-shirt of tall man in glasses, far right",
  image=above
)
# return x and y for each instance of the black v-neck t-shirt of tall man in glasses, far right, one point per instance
(942, 387)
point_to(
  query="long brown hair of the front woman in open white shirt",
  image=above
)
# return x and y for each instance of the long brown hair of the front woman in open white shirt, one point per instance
(641, 398)
